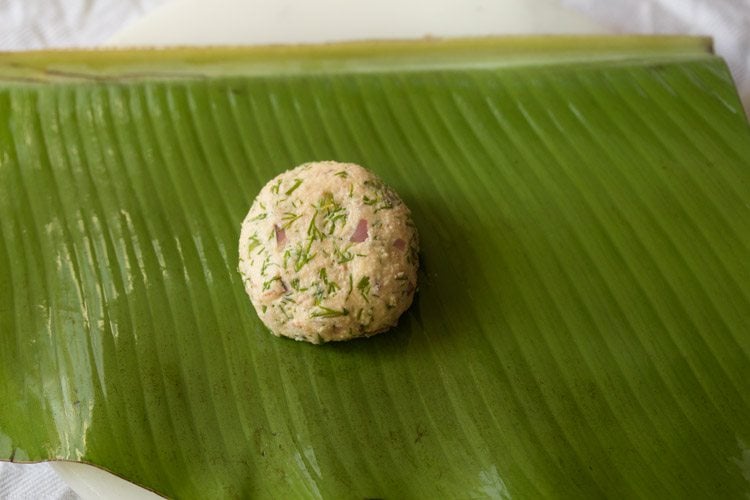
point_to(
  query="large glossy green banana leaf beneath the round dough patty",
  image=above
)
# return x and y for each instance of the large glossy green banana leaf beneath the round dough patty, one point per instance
(582, 325)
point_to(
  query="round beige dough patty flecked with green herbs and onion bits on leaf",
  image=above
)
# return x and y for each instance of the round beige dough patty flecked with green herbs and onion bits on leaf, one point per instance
(328, 252)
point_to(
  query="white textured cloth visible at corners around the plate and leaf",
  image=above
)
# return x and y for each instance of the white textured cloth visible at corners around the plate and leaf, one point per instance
(32, 24)
